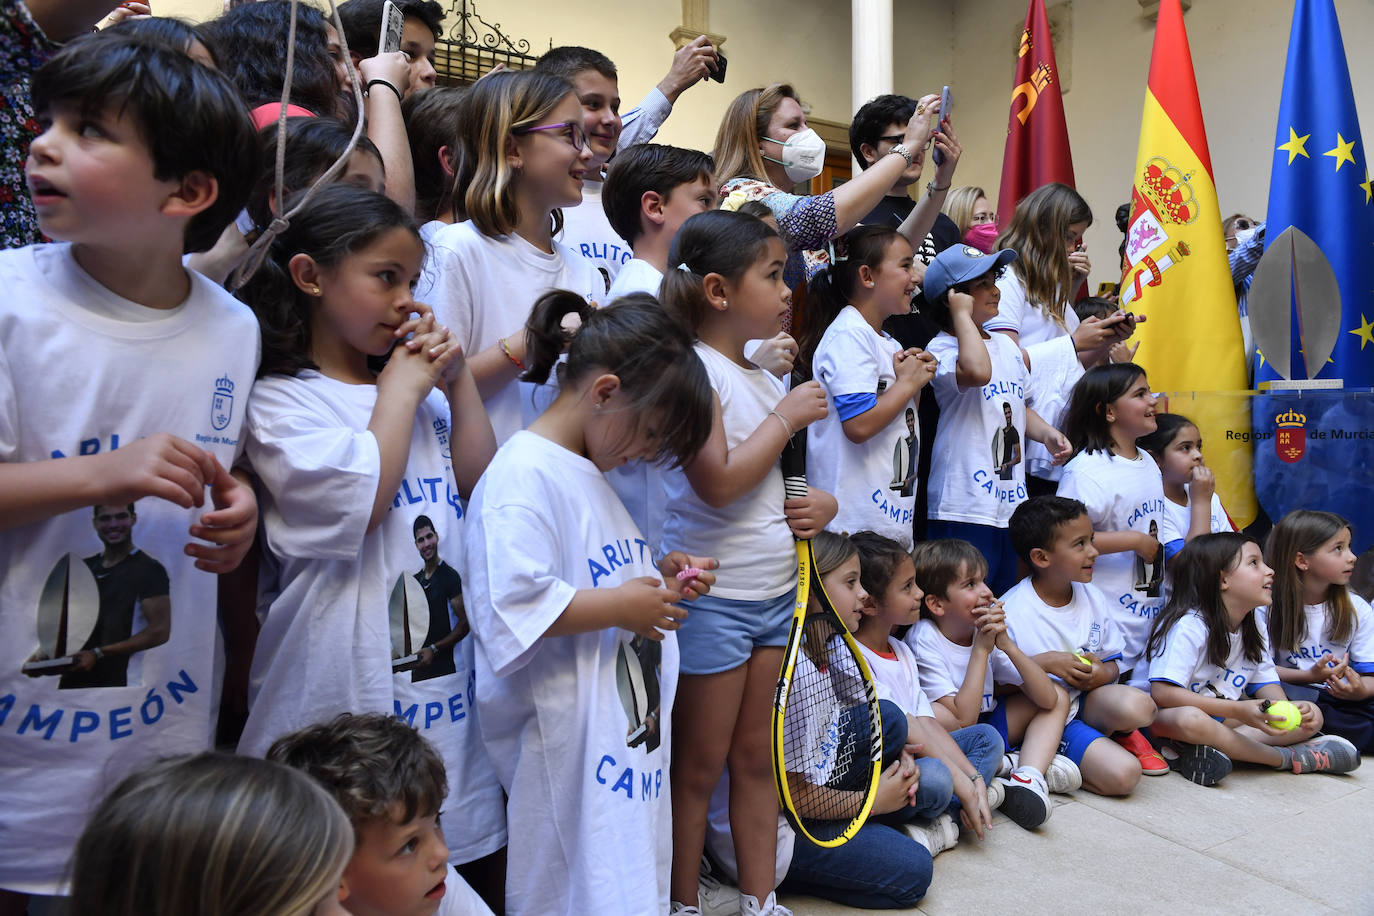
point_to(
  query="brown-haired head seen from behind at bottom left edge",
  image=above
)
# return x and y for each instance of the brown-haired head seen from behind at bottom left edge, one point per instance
(214, 836)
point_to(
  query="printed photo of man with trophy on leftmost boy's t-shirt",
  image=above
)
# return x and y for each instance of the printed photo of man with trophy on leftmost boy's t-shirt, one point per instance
(98, 613)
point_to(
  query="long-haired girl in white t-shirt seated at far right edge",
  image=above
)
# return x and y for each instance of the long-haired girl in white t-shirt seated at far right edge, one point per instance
(1322, 634)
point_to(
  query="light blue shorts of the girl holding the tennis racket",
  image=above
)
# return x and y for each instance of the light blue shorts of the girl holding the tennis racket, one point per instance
(721, 634)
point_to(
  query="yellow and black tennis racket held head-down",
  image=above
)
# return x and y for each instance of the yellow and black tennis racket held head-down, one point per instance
(828, 730)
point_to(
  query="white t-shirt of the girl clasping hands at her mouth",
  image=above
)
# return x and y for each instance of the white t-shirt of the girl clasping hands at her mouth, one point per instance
(329, 638)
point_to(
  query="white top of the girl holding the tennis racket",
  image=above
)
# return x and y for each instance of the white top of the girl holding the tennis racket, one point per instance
(751, 536)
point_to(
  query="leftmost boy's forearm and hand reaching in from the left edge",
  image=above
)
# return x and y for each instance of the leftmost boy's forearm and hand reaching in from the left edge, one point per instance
(161, 466)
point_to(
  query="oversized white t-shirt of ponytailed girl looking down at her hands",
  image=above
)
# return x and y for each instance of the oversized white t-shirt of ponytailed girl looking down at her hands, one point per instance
(578, 726)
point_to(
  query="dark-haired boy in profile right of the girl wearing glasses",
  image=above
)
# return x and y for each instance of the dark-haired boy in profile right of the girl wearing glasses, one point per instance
(651, 192)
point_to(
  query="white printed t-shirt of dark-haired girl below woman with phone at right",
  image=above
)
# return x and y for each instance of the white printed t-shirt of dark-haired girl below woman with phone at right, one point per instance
(1123, 495)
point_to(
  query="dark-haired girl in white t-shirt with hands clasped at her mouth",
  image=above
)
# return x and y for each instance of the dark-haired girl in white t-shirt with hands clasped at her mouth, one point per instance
(348, 461)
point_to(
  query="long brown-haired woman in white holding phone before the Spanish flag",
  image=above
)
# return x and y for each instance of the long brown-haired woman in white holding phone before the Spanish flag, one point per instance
(1037, 311)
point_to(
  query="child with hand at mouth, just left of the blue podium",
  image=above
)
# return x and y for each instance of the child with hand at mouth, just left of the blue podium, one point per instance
(1192, 505)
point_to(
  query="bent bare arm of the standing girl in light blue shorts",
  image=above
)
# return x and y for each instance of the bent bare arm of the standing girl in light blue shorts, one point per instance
(721, 474)
